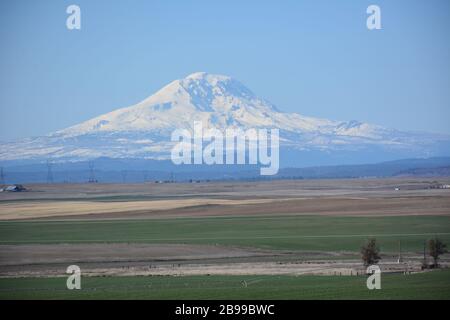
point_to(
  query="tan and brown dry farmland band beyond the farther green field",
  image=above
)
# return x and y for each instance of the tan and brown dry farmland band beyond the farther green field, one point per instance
(357, 197)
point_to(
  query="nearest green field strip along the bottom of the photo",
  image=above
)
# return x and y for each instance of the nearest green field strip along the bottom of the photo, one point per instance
(430, 285)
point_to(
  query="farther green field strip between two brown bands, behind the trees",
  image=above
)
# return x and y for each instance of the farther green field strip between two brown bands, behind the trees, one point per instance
(317, 233)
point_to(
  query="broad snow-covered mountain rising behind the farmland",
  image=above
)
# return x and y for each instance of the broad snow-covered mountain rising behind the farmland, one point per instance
(143, 130)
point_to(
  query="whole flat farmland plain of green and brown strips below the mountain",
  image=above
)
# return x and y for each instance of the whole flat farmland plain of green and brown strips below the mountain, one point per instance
(302, 233)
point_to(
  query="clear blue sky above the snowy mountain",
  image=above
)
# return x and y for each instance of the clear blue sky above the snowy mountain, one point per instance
(313, 57)
